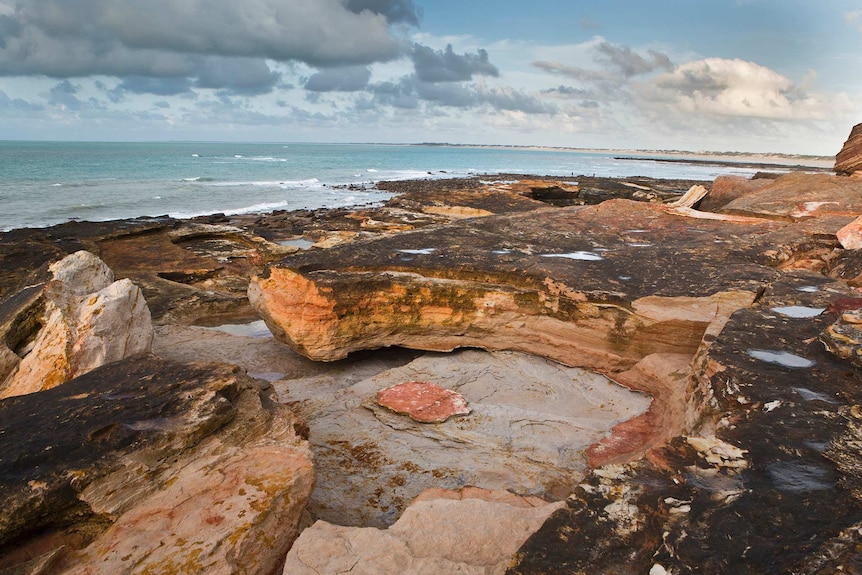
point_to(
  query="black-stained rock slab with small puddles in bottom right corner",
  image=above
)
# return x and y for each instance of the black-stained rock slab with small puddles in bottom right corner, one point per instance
(773, 489)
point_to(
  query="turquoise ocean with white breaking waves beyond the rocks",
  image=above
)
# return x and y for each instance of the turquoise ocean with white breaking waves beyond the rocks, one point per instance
(47, 183)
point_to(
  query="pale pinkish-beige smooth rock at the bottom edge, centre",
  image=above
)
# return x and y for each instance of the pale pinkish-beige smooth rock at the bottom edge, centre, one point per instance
(473, 533)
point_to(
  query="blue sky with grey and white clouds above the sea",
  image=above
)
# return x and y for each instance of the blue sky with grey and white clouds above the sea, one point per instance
(708, 75)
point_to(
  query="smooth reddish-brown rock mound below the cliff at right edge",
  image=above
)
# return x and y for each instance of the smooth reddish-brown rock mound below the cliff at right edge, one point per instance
(799, 195)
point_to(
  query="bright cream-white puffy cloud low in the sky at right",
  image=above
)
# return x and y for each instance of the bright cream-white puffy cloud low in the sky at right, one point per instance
(721, 87)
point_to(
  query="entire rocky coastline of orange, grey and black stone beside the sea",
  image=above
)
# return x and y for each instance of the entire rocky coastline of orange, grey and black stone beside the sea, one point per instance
(623, 375)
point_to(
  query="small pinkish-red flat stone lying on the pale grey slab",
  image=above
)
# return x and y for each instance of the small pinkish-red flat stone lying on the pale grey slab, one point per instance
(423, 401)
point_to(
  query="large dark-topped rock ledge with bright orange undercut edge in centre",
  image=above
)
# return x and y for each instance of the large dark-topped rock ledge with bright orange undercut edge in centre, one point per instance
(585, 286)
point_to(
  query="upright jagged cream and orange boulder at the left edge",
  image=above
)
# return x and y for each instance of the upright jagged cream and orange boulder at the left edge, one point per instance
(80, 319)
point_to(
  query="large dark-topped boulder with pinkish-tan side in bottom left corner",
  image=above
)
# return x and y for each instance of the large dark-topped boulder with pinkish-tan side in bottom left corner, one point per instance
(151, 466)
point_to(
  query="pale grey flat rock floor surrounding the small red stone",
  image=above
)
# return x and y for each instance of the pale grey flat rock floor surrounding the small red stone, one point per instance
(532, 419)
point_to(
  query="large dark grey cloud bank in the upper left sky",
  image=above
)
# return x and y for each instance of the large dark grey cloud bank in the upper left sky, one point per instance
(164, 38)
